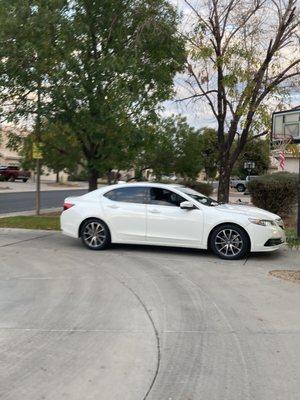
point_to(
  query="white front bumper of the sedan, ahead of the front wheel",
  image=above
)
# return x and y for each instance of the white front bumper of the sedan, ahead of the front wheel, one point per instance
(266, 238)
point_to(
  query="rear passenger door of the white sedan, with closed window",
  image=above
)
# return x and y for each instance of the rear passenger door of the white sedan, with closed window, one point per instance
(125, 211)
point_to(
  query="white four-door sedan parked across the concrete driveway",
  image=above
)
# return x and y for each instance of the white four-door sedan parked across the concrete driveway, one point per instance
(169, 215)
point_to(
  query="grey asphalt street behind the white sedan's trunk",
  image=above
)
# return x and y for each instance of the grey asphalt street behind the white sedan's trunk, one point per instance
(25, 201)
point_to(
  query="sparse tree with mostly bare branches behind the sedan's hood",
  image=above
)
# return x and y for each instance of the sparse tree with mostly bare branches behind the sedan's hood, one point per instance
(243, 54)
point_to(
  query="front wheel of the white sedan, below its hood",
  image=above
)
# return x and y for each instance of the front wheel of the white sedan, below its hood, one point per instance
(229, 242)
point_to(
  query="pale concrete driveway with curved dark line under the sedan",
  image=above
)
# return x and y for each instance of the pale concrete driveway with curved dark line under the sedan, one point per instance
(136, 323)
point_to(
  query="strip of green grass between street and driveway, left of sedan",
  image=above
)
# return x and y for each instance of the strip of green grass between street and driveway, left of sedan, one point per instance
(44, 222)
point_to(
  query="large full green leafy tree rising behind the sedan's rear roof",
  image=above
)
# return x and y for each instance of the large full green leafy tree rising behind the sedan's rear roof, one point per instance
(119, 60)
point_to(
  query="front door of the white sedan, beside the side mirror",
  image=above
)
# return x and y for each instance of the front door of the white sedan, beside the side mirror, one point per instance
(168, 224)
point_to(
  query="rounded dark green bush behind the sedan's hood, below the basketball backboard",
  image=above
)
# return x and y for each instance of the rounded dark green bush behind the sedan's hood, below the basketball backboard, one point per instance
(276, 193)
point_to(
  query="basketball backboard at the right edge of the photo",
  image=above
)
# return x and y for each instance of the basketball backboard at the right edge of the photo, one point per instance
(286, 126)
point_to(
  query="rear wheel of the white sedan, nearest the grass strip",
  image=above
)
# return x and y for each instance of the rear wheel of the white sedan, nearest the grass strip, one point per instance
(95, 234)
